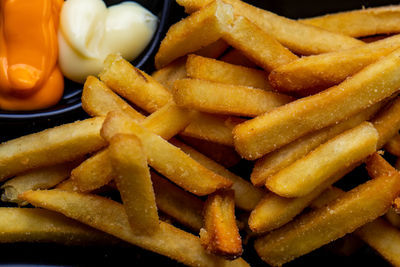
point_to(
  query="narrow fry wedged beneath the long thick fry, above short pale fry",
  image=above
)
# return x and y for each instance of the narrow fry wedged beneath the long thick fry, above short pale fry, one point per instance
(275, 161)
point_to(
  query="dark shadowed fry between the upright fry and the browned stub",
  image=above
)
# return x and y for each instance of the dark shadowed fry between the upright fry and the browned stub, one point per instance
(180, 205)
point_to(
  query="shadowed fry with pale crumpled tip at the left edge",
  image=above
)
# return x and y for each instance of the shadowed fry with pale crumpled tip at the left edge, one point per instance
(41, 178)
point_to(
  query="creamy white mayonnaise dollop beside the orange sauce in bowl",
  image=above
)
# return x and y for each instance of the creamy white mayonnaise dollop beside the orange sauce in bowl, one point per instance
(89, 31)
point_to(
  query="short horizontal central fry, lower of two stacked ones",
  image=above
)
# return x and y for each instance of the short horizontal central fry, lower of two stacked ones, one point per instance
(226, 99)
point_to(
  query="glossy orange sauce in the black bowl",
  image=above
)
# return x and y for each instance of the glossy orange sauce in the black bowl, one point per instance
(29, 75)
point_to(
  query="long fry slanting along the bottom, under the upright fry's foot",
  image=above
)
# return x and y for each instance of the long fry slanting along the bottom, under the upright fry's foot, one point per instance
(110, 217)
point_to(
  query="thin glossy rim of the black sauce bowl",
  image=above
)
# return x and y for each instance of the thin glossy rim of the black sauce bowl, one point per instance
(47, 114)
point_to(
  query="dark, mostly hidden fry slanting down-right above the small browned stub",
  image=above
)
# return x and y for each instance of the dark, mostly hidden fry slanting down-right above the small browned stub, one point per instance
(246, 195)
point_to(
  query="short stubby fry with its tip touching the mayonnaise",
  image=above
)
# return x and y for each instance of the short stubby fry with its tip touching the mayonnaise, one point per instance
(129, 82)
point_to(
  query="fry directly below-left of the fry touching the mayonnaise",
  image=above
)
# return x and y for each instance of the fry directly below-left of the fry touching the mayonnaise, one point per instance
(98, 100)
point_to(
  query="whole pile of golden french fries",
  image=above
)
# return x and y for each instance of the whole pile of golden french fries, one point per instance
(305, 102)
